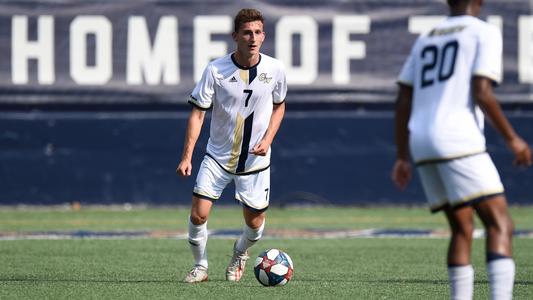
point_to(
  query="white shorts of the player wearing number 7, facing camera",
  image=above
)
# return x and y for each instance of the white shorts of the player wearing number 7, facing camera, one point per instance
(252, 190)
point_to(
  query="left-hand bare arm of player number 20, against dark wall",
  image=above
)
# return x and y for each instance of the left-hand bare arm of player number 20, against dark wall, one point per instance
(401, 172)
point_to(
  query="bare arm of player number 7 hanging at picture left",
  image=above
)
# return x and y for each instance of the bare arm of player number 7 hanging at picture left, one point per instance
(194, 127)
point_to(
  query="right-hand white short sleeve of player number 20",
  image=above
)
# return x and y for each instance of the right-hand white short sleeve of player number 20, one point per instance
(488, 60)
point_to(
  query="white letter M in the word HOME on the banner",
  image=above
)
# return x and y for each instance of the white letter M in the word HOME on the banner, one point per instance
(152, 62)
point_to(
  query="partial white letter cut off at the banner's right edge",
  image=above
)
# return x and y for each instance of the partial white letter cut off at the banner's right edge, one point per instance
(525, 49)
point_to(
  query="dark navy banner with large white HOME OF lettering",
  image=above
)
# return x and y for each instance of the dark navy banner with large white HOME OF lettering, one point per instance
(154, 51)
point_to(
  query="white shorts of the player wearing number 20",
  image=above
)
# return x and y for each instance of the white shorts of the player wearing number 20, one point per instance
(460, 181)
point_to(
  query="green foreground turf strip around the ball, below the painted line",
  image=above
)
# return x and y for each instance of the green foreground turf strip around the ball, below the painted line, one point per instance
(387, 268)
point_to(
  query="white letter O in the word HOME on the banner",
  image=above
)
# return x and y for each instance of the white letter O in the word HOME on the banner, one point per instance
(80, 71)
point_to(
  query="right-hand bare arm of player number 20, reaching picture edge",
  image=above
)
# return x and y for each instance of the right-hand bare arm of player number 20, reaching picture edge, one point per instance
(484, 97)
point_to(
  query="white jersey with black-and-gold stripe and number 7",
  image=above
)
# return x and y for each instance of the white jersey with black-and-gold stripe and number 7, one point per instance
(242, 100)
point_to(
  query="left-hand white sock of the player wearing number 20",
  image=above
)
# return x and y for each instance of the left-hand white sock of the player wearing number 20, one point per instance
(461, 282)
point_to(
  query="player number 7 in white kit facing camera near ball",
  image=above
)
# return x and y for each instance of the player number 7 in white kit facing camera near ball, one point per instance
(246, 91)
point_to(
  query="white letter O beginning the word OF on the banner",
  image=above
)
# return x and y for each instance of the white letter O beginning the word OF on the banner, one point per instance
(307, 28)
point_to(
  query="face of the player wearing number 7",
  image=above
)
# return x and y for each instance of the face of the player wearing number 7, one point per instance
(249, 38)
